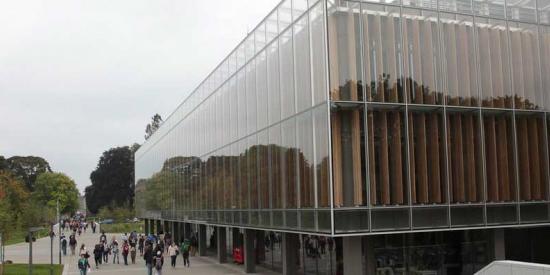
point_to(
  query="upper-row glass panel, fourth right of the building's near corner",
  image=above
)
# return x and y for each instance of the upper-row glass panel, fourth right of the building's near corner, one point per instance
(458, 54)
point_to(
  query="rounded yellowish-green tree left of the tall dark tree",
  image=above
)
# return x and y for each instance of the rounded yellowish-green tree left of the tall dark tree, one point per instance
(50, 187)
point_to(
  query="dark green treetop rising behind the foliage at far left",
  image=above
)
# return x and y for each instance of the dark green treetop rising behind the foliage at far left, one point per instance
(27, 169)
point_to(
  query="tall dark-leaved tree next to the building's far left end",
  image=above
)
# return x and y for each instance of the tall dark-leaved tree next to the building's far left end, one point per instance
(112, 180)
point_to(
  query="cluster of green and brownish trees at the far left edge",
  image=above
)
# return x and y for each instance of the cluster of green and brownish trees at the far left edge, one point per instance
(29, 192)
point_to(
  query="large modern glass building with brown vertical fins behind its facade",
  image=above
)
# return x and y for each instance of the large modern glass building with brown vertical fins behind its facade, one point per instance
(402, 136)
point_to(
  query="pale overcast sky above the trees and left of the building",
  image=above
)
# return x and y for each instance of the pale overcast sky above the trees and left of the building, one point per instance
(78, 77)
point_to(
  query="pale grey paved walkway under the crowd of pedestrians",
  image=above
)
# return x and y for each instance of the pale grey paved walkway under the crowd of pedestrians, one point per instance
(19, 253)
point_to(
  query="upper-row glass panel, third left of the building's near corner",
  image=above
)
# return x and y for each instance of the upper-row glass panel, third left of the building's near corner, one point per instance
(287, 74)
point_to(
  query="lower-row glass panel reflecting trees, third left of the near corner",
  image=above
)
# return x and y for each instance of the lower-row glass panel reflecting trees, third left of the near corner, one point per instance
(289, 163)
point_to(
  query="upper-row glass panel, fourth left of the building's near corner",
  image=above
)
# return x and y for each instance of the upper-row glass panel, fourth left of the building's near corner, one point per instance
(274, 97)
